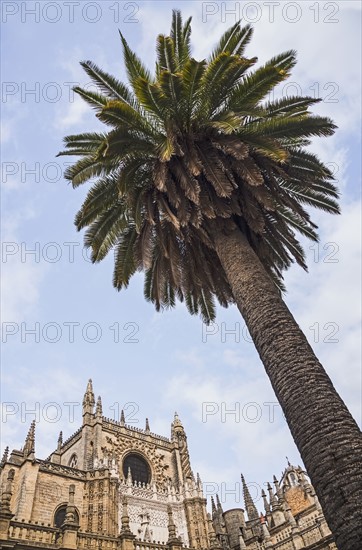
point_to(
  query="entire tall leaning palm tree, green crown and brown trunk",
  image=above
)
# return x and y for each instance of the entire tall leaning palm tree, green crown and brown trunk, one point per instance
(202, 184)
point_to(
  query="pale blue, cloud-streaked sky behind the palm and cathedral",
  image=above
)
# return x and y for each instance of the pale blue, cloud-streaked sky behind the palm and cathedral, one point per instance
(62, 320)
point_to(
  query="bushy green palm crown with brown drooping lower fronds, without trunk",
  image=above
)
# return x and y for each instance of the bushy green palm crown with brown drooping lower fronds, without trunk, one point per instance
(196, 149)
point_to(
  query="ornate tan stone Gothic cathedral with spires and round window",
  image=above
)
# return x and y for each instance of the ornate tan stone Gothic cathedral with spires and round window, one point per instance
(112, 486)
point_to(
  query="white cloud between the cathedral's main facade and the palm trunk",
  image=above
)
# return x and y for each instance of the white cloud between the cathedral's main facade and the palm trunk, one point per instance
(242, 432)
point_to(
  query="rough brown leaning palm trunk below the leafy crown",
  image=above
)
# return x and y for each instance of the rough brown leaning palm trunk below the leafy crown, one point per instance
(328, 438)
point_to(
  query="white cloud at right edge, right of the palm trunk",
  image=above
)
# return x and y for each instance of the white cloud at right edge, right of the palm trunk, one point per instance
(325, 301)
